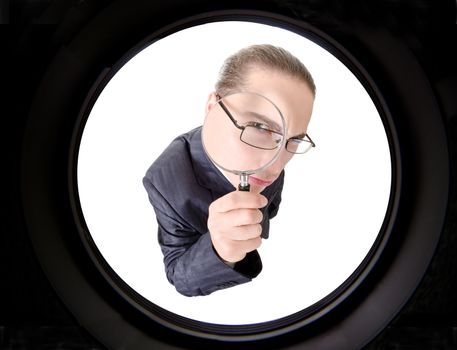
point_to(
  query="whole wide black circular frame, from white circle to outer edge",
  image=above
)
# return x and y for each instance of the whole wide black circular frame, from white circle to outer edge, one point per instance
(117, 315)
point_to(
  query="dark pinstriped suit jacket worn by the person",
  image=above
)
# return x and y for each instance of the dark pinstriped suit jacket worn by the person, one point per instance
(181, 184)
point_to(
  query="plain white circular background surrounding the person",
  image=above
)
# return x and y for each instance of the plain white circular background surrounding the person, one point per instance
(334, 200)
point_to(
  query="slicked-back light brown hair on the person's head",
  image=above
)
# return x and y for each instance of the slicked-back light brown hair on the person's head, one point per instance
(233, 71)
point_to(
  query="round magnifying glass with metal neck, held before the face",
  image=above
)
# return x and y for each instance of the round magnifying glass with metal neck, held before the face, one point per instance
(243, 134)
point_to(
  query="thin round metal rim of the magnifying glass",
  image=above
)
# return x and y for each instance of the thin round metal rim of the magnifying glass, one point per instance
(278, 151)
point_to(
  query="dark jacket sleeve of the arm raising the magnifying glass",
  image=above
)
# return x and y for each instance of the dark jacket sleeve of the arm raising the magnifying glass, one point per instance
(191, 263)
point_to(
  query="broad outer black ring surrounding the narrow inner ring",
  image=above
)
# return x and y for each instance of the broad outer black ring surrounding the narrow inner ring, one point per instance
(416, 226)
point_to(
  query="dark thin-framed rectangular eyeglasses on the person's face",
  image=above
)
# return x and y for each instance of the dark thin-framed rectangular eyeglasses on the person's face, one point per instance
(261, 135)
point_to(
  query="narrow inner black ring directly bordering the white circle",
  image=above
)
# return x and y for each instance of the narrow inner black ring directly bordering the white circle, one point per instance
(266, 329)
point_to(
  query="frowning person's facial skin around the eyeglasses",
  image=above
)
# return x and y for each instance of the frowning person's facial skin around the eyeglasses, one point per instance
(292, 97)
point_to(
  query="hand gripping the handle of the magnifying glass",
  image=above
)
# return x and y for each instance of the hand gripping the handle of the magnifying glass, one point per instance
(234, 224)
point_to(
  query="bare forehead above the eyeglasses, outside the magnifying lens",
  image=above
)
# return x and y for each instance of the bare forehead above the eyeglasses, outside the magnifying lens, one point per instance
(291, 95)
